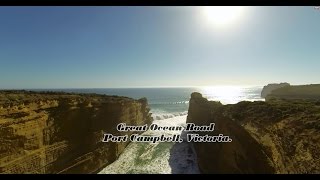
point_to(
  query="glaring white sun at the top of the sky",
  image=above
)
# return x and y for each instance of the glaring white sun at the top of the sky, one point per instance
(222, 16)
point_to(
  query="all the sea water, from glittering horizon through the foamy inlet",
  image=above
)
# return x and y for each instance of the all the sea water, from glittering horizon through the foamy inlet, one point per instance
(169, 107)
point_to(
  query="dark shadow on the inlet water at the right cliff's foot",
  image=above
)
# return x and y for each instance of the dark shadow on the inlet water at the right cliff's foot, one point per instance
(182, 158)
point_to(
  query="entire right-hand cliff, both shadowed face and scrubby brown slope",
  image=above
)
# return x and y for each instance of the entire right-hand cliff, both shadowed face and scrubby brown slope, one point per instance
(268, 137)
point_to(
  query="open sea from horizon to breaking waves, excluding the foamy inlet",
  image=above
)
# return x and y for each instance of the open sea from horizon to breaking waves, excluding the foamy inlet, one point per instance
(167, 103)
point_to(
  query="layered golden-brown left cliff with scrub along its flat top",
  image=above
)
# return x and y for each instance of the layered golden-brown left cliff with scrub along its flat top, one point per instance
(62, 133)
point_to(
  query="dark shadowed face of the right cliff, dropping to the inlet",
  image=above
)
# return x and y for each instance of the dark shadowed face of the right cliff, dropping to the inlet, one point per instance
(243, 155)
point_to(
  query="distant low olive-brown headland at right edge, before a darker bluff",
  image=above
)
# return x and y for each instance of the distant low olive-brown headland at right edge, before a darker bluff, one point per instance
(304, 92)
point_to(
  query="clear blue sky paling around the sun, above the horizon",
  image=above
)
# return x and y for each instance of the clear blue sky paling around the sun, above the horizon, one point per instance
(109, 47)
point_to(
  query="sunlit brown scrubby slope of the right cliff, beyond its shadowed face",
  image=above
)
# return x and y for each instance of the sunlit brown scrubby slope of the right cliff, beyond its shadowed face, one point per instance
(289, 130)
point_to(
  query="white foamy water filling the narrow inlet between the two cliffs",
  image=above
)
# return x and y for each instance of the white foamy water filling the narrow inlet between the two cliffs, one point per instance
(159, 158)
